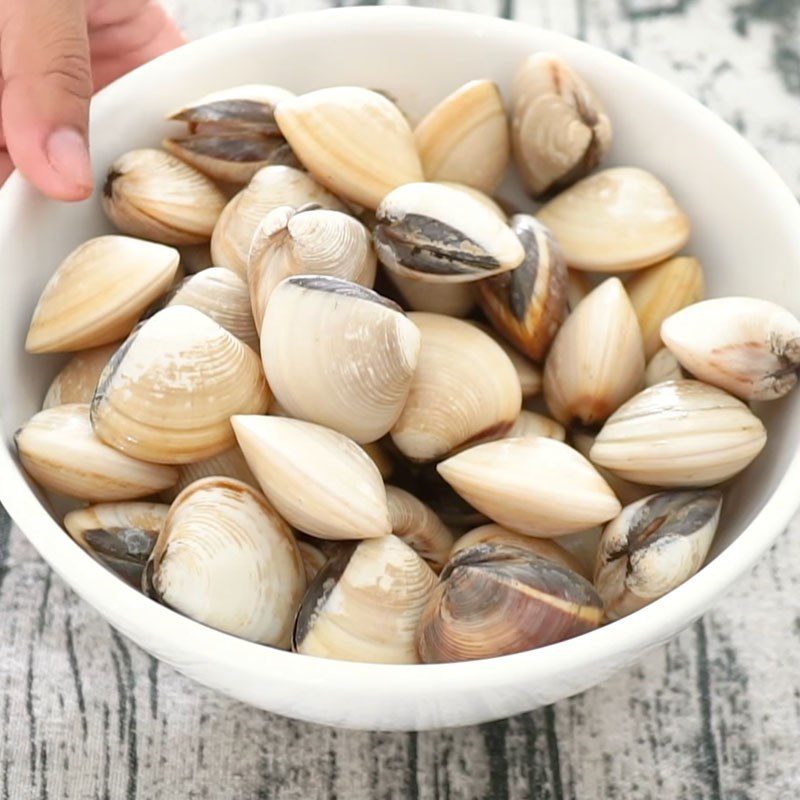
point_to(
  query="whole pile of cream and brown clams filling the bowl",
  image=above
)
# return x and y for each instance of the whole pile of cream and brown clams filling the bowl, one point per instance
(398, 420)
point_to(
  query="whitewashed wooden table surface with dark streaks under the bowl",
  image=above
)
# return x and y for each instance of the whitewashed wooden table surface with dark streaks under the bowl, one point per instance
(714, 714)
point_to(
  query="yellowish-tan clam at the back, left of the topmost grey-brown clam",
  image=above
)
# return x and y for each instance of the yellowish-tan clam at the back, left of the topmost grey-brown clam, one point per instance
(464, 138)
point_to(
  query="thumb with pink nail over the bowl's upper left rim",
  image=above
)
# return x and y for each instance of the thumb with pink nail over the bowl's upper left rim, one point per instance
(48, 85)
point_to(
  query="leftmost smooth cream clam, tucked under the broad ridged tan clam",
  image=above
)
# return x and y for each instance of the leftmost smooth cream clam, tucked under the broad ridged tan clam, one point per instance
(60, 451)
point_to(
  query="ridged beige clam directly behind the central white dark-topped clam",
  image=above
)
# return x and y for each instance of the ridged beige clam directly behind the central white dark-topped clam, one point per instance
(307, 241)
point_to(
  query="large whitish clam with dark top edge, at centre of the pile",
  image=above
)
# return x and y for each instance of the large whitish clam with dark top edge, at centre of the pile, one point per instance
(339, 354)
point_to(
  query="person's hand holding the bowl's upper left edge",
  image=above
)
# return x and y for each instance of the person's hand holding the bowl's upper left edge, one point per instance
(53, 55)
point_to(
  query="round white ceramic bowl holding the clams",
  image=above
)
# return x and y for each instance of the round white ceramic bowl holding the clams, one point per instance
(746, 232)
